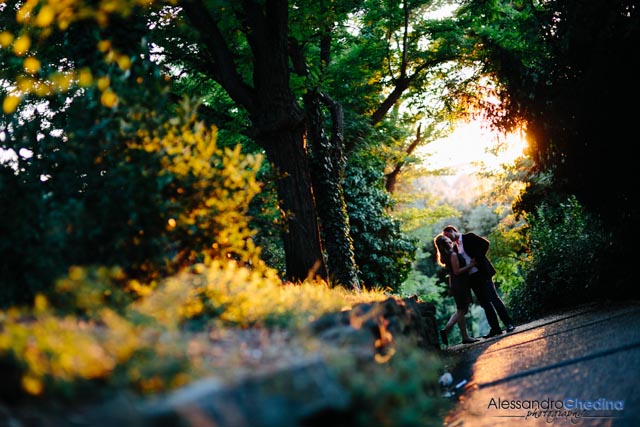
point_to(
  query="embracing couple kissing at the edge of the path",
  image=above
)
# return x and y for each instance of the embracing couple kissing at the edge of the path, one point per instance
(464, 257)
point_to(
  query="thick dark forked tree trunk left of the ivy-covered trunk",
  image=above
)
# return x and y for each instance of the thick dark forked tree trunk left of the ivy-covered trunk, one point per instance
(277, 119)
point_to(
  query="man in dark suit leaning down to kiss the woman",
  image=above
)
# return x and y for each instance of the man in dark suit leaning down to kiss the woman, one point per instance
(472, 246)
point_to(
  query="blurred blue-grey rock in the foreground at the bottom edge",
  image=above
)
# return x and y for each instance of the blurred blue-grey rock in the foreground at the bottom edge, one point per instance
(278, 399)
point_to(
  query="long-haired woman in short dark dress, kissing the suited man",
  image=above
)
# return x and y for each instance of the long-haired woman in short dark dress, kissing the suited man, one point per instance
(453, 263)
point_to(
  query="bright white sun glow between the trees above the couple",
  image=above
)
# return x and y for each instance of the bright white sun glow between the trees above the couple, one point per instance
(473, 147)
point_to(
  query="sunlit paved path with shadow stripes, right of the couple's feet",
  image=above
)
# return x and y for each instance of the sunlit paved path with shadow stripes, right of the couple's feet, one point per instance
(581, 367)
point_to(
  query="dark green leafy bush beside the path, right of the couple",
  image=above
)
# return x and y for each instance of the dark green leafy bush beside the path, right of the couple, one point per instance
(564, 268)
